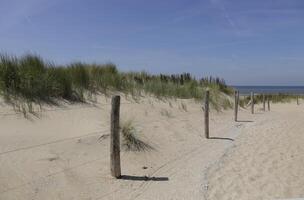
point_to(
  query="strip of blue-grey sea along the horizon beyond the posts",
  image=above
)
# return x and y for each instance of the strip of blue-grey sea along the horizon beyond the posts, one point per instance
(244, 90)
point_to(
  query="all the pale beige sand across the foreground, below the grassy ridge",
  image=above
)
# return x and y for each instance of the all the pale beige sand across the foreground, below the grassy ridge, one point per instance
(63, 153)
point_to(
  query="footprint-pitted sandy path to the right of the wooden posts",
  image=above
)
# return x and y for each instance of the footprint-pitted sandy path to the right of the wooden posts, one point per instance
(266, 162)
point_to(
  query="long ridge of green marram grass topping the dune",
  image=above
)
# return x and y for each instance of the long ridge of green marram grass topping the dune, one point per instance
(32, 79)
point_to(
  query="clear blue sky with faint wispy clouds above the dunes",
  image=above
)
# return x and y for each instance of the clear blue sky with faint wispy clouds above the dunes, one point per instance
(246, 42)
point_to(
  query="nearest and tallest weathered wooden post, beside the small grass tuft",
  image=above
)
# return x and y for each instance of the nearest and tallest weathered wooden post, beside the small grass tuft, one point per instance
(115, 140)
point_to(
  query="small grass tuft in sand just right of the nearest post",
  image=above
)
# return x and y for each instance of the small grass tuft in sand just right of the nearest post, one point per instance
(131, 142)
